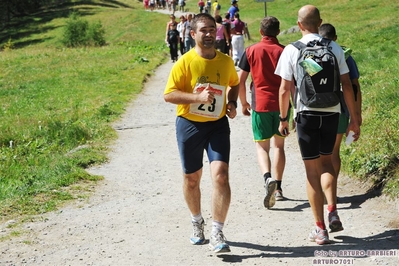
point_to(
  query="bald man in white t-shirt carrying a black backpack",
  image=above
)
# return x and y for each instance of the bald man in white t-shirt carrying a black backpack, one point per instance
(316, 111)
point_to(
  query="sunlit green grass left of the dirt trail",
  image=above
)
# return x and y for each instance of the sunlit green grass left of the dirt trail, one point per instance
(56, 99)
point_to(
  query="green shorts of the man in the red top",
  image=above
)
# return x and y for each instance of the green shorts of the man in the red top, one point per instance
(265, 125)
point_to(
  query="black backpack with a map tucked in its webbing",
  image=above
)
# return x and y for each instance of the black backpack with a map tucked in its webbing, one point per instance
(318, 77)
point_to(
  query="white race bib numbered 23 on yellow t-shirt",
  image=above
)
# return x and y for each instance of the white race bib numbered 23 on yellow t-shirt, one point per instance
(214, 109)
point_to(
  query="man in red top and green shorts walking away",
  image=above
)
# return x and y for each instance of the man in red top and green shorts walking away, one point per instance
(261, 59)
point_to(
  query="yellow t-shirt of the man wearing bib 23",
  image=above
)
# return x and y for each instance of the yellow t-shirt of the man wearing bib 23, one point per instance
(192, 73)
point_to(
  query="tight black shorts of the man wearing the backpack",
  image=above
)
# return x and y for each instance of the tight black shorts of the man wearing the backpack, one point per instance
(316, 134)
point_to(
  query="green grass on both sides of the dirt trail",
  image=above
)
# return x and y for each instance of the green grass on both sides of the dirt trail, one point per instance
(58, 104)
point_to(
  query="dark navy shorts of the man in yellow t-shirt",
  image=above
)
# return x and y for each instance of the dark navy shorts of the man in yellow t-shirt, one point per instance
(195, 137)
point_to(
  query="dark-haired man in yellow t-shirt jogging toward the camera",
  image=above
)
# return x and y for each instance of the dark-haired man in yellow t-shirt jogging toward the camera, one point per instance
(204, 85)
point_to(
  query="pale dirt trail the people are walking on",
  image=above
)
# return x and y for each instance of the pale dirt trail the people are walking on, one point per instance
(137, 215)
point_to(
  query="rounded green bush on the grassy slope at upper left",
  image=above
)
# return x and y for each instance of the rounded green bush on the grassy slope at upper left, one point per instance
(78, 32)
